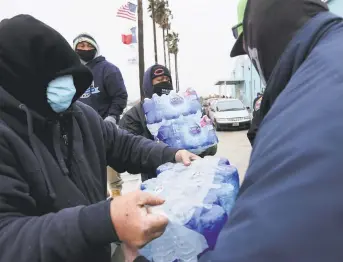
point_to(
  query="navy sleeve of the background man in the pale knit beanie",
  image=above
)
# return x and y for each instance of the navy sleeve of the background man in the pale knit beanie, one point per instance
(115, 88)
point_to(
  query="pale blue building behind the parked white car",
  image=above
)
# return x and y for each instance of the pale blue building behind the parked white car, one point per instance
(244, 82)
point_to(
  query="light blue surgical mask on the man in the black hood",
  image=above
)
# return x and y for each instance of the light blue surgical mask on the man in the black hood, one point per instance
(60, 93)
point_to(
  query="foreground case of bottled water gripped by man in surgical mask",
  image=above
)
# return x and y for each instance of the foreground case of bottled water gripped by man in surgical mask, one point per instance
(198, 202)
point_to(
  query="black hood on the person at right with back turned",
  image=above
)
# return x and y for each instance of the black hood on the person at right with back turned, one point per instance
(266, 39)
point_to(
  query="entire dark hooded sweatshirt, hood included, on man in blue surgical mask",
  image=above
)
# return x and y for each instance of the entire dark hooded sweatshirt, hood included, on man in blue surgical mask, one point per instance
(53, 167)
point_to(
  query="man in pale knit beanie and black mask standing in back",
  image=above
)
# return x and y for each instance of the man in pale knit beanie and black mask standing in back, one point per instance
(107, 95)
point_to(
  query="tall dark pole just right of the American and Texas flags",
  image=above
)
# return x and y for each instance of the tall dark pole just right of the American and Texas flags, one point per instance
(141, 47)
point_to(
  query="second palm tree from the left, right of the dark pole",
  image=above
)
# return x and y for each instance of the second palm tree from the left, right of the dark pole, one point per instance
(162, 18)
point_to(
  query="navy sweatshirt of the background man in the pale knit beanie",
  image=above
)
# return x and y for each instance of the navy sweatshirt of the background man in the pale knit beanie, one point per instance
(107, 95)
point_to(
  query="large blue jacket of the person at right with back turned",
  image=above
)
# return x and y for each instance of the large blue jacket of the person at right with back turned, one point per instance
(290, 205)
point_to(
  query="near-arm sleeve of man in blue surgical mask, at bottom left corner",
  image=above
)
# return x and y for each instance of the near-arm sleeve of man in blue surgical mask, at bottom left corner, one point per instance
(62, 236)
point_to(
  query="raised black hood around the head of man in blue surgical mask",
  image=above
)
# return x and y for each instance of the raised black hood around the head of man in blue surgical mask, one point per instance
(31, 55)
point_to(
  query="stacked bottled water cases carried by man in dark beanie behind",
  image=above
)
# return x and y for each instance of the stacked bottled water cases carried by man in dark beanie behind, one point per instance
(175, 119)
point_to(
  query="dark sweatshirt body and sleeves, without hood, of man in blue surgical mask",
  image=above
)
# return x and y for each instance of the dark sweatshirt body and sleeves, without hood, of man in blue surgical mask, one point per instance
(55, 208)
